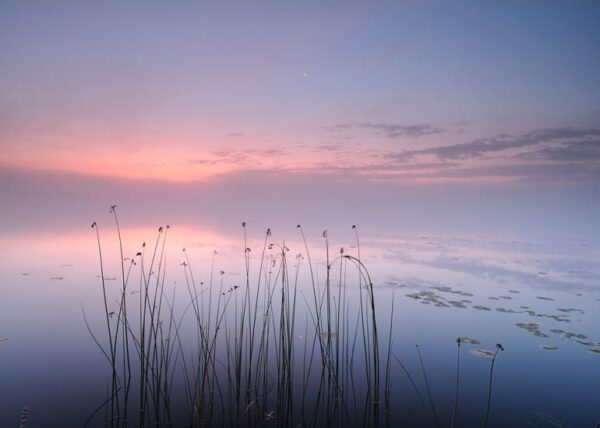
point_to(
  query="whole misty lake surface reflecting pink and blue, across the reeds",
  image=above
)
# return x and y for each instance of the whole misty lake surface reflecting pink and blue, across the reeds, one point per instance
(537, 297)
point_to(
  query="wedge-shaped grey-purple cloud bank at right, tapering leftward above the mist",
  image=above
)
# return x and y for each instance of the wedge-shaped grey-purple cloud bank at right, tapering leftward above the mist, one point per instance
(553, 155)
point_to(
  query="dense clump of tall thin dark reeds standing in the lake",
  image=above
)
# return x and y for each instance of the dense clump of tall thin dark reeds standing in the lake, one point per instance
(266, 351)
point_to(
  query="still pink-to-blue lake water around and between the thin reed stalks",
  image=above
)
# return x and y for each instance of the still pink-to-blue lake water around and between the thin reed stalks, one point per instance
(539, 298)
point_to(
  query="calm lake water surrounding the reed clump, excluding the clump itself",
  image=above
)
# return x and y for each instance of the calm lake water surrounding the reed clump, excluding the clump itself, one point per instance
(538, 297)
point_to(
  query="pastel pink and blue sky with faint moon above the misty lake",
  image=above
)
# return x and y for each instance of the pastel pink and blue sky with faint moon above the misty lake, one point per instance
(457, 115)
